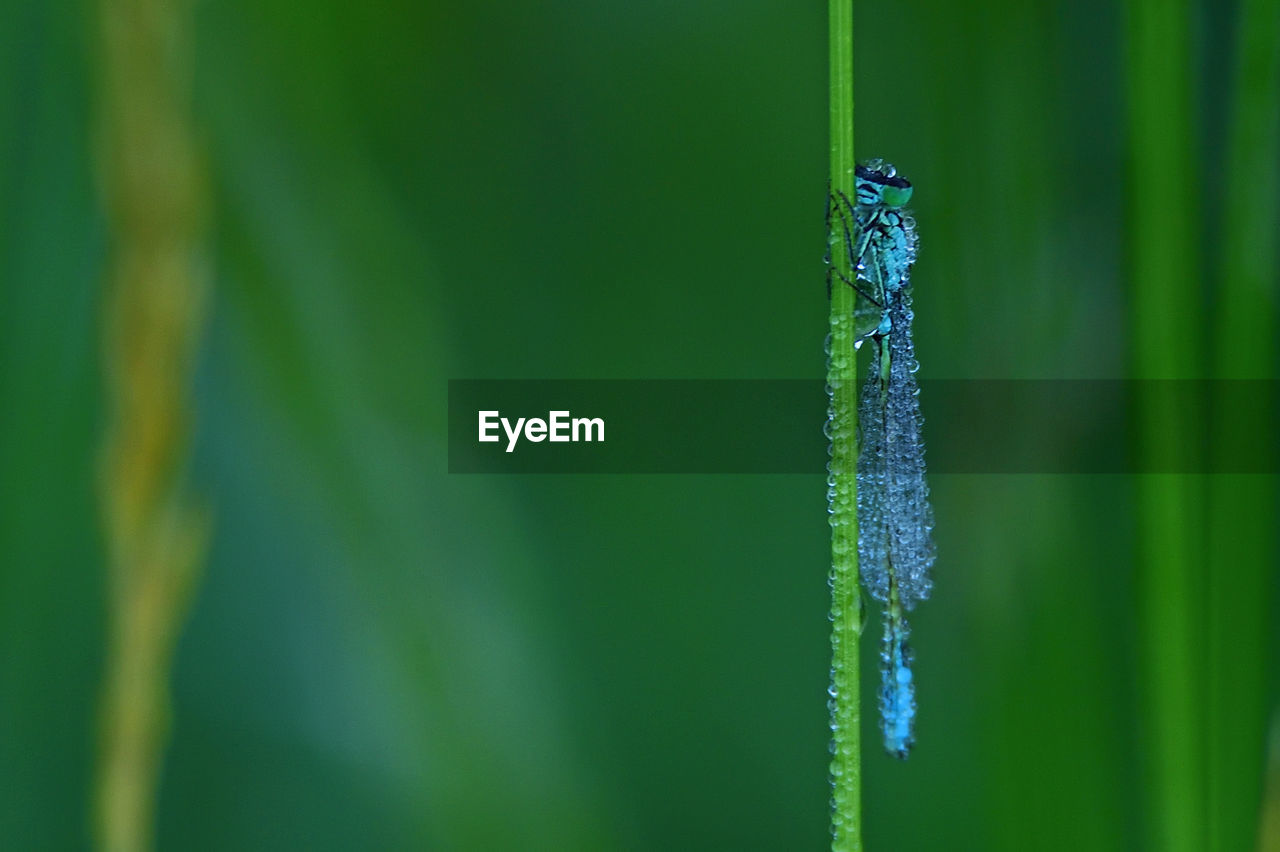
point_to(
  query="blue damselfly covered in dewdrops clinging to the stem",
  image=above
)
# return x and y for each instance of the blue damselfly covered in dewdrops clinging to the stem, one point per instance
(895, 520)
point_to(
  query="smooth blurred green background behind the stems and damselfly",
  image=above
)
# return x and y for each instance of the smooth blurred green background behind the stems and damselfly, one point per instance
(382, 656)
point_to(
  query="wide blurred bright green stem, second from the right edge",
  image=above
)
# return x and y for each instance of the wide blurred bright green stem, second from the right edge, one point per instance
(1165, 315)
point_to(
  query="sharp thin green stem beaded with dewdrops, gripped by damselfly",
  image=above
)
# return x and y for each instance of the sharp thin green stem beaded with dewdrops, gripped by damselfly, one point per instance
(847, 828)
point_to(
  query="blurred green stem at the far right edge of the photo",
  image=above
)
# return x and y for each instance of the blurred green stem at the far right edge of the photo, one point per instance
(1242, 507)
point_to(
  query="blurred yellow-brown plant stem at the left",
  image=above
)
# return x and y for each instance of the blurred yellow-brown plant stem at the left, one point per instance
(153, 309)
